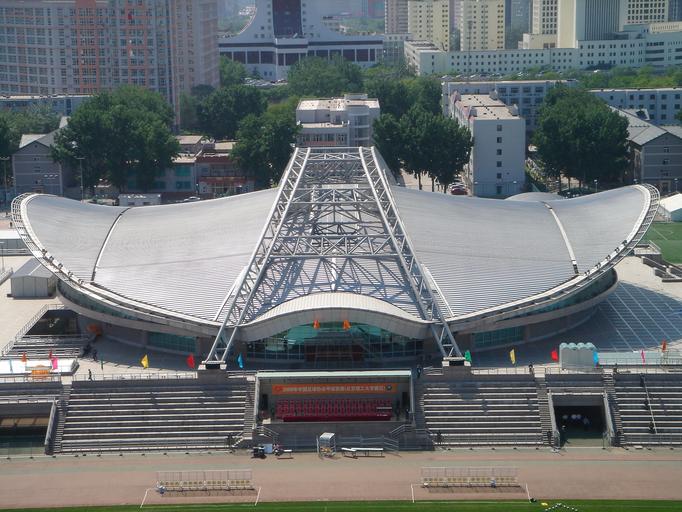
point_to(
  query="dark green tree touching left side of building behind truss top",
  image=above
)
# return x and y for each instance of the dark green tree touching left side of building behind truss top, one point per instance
(265, 143)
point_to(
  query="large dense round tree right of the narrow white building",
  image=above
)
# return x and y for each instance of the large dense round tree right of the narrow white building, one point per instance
(580, 137)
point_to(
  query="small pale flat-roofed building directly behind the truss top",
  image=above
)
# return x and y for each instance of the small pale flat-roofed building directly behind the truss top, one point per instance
(337, 122)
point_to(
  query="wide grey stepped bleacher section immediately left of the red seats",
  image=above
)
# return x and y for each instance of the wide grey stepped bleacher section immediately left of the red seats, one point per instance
(153, 415)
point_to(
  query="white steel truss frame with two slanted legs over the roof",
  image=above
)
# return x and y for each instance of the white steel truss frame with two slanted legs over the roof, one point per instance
(334, 226)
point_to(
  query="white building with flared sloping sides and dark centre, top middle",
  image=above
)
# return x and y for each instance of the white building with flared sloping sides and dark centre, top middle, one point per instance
(282, 32)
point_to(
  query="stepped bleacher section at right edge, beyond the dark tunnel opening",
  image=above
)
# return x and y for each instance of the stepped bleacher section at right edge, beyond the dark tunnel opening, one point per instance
(665, 407)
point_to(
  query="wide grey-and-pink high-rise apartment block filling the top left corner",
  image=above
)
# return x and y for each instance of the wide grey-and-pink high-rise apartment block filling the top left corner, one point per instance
(84, 46)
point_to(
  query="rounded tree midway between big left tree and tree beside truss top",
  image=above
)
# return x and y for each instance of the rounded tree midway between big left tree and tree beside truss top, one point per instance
(220, 113)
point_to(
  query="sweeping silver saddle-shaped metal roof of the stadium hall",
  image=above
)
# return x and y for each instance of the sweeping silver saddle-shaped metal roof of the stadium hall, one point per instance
(335, 225)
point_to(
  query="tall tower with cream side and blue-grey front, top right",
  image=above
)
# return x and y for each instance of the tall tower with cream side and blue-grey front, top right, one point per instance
(588, 20)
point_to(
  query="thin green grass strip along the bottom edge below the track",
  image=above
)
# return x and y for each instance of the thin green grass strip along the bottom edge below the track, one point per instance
(387, 506)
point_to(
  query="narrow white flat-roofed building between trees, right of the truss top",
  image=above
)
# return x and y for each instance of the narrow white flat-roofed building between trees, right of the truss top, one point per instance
(497, 163)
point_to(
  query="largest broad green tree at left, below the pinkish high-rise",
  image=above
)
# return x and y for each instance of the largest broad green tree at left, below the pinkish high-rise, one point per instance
(117, 135)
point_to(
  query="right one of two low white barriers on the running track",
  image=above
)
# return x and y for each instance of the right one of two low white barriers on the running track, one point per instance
(470, 477)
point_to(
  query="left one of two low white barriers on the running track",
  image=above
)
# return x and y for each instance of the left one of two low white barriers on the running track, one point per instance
(205, 480)
